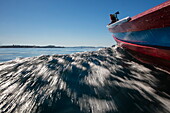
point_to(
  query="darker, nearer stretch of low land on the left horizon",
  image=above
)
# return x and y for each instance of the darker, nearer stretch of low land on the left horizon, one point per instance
(29, 46)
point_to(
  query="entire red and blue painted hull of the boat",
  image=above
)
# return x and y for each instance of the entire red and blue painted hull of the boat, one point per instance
(147, 36)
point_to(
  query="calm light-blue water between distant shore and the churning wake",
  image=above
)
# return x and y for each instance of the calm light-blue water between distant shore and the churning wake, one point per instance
(7, 54)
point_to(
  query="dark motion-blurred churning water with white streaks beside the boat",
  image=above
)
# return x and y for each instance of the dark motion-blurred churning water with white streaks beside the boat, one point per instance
(103, 81)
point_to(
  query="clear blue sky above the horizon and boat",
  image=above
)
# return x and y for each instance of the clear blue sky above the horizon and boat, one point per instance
(64, 22)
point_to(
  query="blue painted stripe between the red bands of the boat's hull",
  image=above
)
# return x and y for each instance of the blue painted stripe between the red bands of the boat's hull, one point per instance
(153, 37)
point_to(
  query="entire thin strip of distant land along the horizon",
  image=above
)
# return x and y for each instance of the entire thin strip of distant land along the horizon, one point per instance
(49, 46)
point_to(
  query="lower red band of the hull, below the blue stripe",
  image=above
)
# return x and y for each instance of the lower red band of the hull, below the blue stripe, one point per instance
(150, 55)
